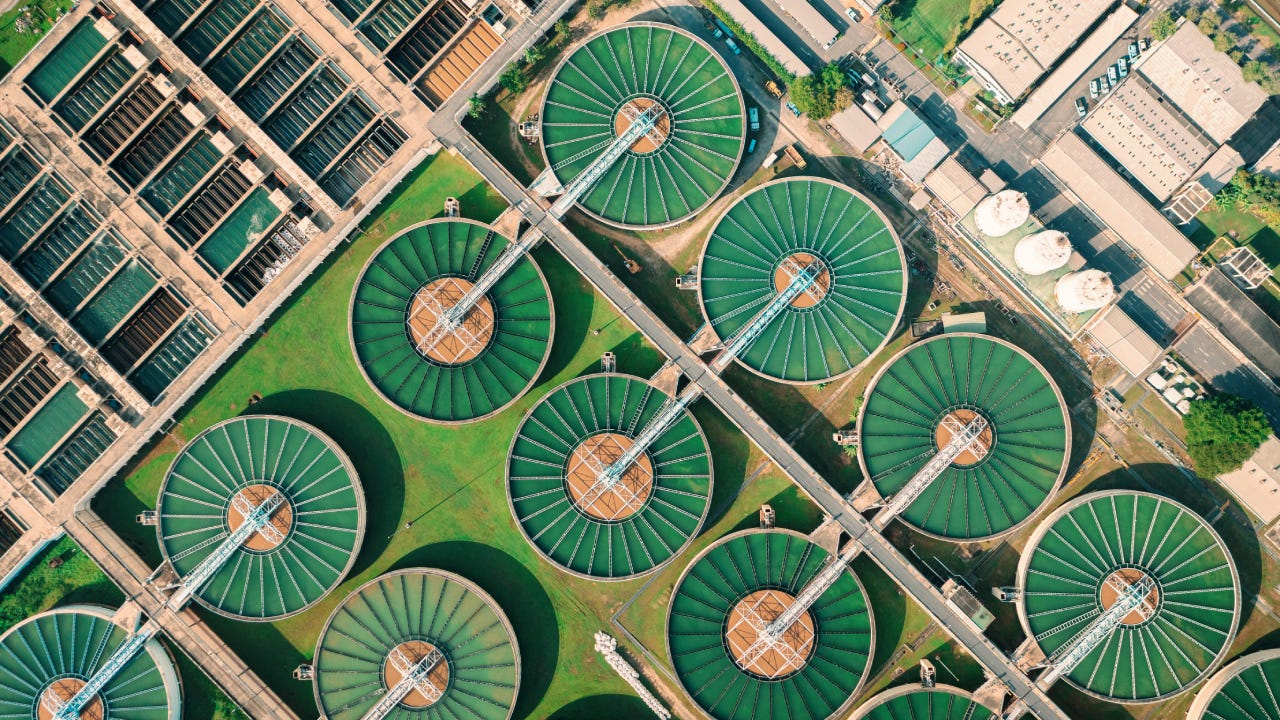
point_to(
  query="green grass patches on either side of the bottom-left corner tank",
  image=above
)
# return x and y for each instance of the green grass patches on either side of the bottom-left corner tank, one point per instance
(80, 582)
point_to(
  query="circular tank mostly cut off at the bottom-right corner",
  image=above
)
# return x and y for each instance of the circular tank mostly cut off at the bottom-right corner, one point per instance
(1246, 690)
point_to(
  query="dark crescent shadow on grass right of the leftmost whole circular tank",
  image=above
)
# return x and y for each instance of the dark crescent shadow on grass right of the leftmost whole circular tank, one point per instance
(371, 449)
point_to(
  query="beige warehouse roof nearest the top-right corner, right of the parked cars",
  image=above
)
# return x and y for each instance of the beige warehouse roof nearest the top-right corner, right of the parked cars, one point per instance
(1203, 83)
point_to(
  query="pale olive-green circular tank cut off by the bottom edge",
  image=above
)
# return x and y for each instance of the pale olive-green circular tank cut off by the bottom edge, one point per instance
(394, 622)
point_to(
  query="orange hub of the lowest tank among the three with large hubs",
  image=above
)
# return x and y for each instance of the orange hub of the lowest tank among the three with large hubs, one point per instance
(772, 660)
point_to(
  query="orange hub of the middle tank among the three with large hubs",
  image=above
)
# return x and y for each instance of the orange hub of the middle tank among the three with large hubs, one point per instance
(625, 498)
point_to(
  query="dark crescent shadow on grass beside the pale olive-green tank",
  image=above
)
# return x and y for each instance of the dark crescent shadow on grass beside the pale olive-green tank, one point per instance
(519, 594)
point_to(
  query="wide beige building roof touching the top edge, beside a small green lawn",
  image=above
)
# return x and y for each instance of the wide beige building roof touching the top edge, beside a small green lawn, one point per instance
(1022, 40)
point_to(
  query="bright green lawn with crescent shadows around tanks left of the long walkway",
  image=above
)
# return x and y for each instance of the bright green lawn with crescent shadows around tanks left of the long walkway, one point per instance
(447, 481)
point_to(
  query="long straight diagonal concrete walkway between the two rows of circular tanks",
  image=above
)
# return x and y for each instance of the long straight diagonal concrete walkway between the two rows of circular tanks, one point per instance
(756, 429)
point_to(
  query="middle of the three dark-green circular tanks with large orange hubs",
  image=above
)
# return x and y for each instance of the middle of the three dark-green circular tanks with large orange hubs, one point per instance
(625, 530)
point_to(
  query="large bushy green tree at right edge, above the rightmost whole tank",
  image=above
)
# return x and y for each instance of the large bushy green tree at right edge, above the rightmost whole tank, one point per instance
(1223, 432)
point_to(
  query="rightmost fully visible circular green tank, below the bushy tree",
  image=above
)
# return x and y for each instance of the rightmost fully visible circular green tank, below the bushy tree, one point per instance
(1081, 558)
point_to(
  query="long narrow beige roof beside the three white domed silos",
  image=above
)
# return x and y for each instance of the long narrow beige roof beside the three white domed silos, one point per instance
(1119, 206)
